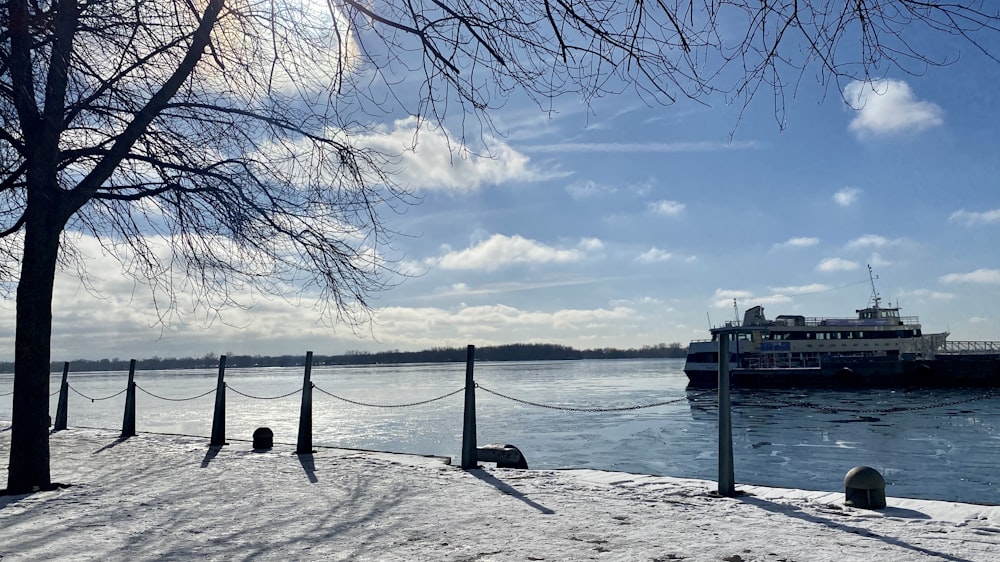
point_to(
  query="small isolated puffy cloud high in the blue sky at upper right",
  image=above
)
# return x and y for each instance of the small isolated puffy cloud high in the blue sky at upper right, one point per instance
(887, 107)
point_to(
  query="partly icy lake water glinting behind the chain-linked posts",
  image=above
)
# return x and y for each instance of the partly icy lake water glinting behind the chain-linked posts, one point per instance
(934, 450)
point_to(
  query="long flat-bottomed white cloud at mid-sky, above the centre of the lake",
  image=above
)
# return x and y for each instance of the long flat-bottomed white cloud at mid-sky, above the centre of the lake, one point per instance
(500, 250)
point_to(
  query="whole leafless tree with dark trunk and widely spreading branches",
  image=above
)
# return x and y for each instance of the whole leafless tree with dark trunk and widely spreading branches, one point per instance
(212, 145)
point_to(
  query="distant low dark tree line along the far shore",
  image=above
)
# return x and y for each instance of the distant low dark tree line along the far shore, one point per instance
(508, 352)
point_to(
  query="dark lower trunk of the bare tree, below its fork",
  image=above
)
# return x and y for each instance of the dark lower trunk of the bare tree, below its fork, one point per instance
(29, 442)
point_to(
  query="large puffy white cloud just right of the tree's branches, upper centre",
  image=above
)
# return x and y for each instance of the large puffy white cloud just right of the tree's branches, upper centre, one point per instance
(430, 159)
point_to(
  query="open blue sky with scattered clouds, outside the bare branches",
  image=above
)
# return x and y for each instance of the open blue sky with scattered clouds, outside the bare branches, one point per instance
(620, 224)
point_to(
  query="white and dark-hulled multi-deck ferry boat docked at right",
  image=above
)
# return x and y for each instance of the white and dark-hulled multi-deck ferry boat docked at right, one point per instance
(877, 348)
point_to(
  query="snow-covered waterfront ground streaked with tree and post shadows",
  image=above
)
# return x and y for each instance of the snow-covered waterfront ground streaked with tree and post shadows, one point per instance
(171, 497)
